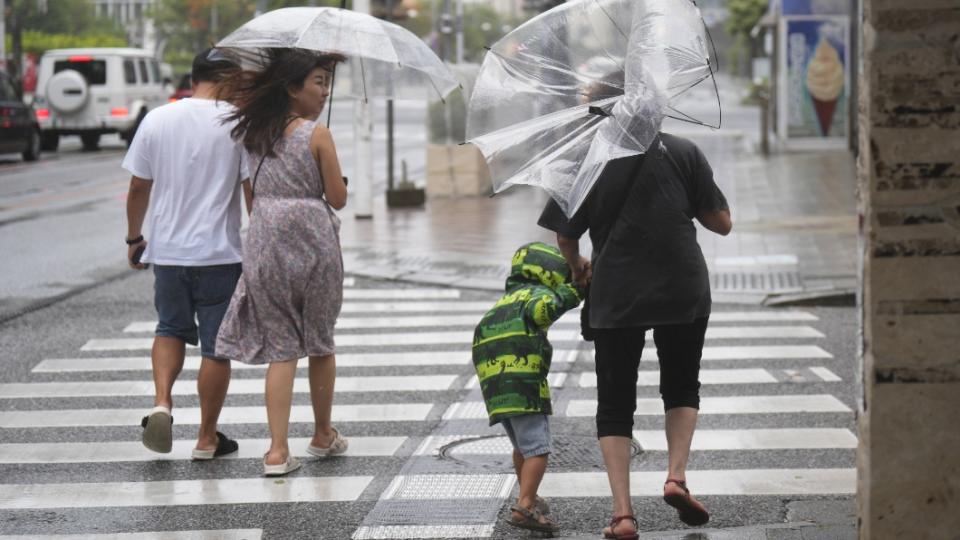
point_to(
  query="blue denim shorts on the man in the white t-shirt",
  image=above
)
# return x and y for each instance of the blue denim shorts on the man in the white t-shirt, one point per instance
(192, 300)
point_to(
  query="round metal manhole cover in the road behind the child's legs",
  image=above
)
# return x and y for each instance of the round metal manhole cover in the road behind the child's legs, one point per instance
(494, 452)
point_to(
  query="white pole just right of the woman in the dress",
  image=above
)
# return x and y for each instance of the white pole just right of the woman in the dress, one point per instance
(362, 184)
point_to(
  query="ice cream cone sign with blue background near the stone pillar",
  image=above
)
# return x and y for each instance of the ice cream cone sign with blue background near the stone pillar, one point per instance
(816, 87)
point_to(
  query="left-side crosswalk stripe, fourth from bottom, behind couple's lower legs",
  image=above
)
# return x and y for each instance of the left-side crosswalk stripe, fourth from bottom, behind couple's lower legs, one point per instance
(387, 412)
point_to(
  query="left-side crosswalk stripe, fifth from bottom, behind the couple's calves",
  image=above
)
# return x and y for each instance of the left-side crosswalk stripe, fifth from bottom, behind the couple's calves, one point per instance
(410, 383)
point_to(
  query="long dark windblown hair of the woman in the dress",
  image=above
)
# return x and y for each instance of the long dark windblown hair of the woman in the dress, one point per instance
(262, 98)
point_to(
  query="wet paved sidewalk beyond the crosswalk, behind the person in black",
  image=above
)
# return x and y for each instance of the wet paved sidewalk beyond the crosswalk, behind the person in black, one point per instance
(795, 228)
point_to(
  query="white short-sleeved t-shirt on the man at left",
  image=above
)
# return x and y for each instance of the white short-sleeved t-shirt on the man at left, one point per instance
(196, 169)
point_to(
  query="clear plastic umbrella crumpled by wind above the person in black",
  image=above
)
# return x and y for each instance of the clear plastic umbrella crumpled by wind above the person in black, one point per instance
(582, 84)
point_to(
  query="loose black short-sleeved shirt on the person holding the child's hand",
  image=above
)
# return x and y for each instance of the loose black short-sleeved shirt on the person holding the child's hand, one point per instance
(648, 269)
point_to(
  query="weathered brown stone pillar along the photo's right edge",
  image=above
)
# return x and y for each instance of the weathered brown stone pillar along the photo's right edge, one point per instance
(909, 456)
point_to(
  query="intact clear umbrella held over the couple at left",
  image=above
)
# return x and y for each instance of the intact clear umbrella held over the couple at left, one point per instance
(392, 61)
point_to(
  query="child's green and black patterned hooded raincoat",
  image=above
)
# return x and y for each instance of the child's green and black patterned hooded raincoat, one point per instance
(511, 352)
